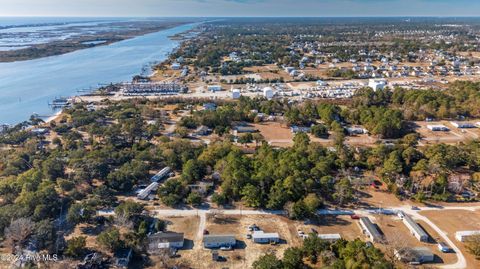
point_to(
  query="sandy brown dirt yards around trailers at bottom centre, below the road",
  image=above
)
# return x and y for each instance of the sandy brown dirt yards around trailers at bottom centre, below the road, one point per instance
(247, 251)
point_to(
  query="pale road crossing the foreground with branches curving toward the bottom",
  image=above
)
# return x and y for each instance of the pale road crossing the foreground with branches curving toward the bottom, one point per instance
(459, 264)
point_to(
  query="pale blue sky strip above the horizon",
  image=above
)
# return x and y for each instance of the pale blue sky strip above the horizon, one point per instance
(224, 8)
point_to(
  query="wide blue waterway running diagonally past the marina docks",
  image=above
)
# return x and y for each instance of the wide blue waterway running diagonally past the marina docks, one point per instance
(27, 87)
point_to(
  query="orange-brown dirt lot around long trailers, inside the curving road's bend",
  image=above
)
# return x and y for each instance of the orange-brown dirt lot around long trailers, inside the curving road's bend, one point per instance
(397, 235)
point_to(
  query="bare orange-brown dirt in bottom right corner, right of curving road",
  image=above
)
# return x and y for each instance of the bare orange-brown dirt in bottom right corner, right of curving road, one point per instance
(458, 220)
